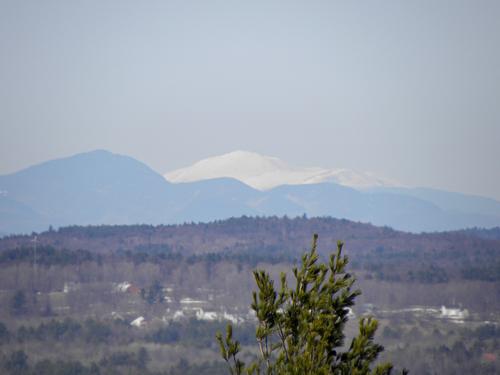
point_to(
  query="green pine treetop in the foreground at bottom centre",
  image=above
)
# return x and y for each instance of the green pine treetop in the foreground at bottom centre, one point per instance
(301, 328)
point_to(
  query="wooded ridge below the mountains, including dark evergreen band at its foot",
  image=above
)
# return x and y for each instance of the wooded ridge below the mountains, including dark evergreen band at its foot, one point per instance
(380, 251)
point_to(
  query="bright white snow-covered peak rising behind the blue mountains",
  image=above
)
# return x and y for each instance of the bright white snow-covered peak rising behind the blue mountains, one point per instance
(265, 172)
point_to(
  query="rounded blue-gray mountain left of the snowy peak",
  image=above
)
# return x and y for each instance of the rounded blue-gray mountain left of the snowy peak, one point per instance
(91, 188)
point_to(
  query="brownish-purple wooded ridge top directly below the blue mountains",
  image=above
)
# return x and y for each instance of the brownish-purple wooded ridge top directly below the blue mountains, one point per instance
(245, 233)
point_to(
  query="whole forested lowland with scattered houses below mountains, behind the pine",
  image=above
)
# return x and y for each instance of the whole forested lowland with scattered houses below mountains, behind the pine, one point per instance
(129, 299)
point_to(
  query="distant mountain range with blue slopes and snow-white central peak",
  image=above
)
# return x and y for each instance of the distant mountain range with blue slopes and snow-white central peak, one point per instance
(104, 188)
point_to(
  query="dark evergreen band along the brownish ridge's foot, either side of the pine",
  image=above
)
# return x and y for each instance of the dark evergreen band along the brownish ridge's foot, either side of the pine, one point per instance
(420, 267)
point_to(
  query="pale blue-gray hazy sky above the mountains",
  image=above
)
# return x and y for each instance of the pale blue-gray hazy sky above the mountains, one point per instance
(407, 89)
